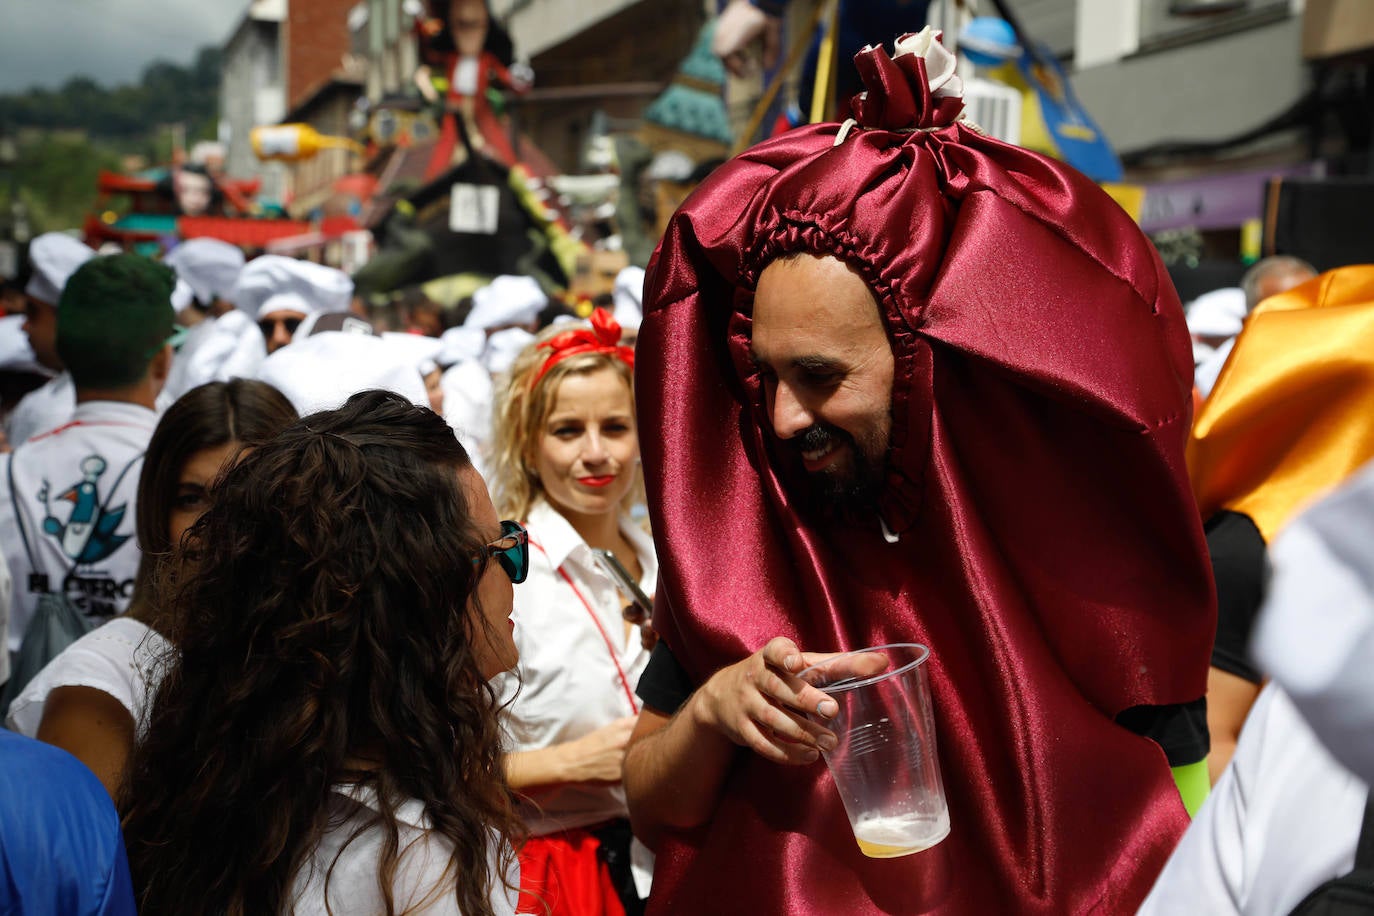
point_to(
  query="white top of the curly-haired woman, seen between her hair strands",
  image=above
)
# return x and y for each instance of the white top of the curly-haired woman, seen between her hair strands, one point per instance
(421, 871)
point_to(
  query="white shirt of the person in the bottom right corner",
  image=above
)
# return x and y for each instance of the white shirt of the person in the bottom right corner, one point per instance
(1283, 821)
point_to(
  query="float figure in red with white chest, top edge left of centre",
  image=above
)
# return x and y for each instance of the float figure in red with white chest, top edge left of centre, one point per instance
(465, 54)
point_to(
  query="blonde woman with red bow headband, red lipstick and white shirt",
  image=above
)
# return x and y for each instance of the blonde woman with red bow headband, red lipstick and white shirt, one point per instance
(567, 465)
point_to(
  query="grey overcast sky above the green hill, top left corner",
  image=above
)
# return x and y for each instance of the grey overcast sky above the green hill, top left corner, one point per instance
(49, 42)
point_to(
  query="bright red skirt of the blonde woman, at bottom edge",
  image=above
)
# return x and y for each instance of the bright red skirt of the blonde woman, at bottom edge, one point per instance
(561, 875)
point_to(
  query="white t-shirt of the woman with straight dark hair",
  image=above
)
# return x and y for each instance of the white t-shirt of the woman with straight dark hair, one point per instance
(122, 659)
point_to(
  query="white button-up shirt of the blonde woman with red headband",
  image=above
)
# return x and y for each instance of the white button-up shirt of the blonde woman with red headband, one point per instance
(578, 667)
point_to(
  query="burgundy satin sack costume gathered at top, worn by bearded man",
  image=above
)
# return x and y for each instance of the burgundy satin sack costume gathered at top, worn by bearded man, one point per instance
(1050, 550)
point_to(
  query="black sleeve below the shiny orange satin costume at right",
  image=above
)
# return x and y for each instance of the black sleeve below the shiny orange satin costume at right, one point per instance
(1239, 564)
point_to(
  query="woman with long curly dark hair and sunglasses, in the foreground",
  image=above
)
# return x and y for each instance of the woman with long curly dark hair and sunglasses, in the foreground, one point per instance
(329, 742)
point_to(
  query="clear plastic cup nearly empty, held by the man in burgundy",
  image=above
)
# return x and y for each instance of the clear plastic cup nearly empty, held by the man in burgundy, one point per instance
(886, 763)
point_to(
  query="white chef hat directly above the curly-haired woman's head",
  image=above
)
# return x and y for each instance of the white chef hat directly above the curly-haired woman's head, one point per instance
(324, 370)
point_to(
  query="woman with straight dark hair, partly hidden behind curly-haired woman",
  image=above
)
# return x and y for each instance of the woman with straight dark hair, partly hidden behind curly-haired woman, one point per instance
(90, 701)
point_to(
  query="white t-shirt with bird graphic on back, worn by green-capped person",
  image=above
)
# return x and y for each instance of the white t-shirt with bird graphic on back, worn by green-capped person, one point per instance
(76, 488)
